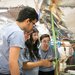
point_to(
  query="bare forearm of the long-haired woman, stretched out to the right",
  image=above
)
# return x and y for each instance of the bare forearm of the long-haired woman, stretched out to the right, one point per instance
(30, 65)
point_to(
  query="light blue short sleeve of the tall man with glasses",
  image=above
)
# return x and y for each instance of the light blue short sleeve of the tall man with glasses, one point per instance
(17, 39)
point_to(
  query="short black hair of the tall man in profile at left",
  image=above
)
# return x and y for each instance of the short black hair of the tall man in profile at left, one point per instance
(27, 12)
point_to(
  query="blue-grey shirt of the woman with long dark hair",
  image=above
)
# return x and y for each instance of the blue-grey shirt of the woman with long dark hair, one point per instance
(25, 57)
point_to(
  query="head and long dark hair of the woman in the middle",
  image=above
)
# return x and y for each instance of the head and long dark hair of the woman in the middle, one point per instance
(32, 44)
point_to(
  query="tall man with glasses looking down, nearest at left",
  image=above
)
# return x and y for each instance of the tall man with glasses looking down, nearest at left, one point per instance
(12, 40)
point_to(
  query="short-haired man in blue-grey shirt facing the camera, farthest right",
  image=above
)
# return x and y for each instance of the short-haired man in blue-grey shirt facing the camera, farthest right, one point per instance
(46, 53)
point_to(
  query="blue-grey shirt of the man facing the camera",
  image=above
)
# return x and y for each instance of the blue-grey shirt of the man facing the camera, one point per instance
(46, 55)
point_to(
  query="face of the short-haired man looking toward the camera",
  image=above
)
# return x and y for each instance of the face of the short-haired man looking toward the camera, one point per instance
(45, 43)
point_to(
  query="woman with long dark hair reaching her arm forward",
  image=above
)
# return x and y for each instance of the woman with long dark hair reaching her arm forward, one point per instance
(31, 58)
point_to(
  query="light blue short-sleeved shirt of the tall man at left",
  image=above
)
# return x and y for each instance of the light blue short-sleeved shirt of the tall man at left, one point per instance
(10, 35)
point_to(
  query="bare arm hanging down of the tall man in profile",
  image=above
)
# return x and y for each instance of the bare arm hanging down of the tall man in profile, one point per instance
(13, 60)
